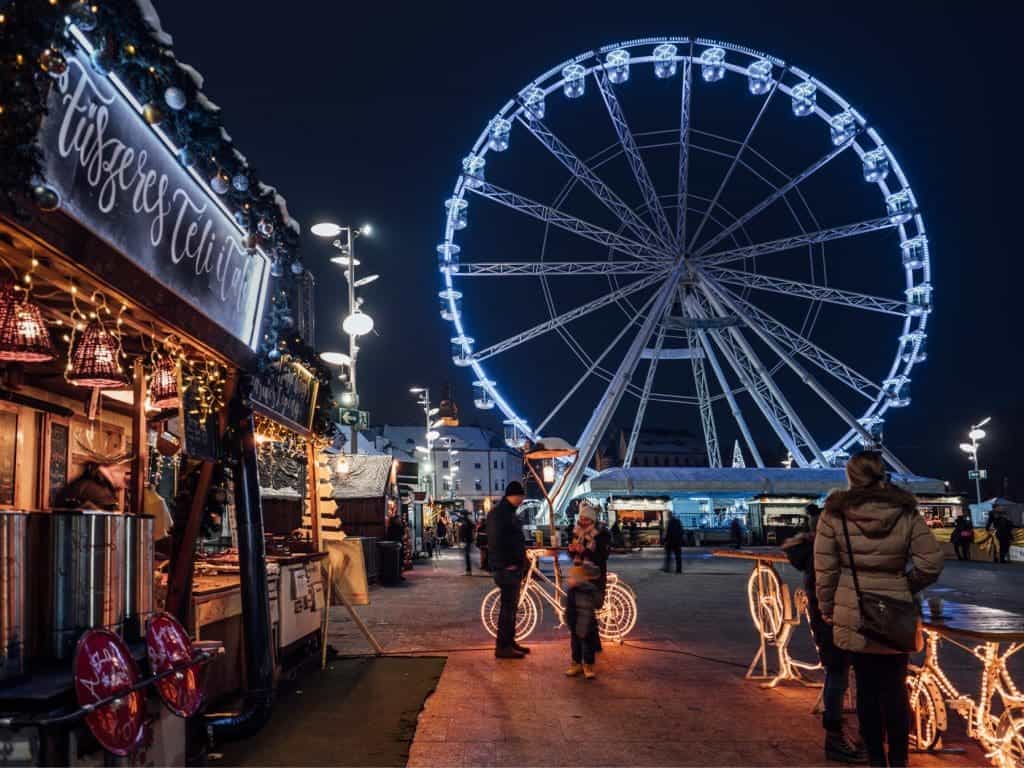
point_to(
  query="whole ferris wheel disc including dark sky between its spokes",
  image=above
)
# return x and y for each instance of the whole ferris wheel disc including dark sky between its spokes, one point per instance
(667, 204)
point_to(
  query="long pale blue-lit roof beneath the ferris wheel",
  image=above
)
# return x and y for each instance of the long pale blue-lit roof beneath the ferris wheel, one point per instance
(660, 481)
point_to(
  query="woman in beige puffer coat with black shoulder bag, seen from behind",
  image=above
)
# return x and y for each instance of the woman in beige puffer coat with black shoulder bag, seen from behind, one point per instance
(867, 539)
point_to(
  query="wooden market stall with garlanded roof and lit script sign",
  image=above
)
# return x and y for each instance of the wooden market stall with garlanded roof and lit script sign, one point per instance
(145, 276)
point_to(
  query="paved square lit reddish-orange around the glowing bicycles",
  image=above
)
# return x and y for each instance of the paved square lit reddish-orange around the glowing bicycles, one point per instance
(673, 695)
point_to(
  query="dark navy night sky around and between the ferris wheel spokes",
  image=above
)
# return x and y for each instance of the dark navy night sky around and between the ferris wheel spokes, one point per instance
(362, 112)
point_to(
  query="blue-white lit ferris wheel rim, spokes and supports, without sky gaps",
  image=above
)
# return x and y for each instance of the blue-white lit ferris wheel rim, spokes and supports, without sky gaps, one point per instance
(659, 250)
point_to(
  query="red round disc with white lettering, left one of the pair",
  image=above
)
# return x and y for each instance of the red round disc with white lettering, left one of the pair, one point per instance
(105, 668)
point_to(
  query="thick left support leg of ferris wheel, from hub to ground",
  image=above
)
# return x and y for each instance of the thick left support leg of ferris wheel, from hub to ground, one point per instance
(602, 417)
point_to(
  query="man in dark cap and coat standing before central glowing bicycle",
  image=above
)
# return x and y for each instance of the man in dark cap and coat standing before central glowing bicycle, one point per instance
(507, 554)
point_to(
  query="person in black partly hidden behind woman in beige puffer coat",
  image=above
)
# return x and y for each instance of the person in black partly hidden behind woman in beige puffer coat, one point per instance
(800, 551)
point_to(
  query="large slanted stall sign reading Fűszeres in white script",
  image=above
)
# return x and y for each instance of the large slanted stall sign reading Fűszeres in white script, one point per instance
(117, 177)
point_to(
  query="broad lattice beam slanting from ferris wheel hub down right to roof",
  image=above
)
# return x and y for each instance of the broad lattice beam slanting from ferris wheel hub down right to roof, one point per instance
(758, 380)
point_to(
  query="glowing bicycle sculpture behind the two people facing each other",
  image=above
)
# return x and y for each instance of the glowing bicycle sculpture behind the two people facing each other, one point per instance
(616, 620)
